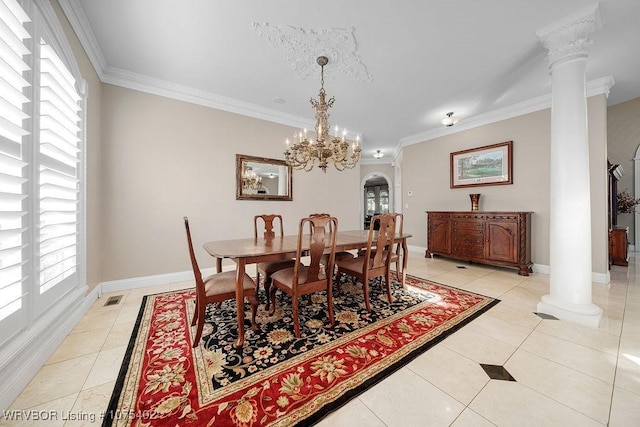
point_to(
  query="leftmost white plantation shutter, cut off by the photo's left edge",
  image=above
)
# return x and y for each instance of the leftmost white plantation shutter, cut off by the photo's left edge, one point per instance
(13, 181)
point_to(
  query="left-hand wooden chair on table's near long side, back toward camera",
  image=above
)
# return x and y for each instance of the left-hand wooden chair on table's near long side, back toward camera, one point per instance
(306, 279)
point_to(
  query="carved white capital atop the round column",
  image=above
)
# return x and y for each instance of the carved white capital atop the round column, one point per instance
(568, 37)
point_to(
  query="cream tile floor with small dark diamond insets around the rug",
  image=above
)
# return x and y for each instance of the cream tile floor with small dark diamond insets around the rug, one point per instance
(565, 375)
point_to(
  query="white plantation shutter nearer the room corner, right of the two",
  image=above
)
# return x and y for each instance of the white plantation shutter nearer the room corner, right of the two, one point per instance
(58, 178)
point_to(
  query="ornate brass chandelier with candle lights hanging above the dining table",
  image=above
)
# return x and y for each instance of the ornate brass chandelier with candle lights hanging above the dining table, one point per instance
(303, 154)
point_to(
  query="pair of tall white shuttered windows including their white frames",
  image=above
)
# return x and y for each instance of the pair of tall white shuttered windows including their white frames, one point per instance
(41, 166)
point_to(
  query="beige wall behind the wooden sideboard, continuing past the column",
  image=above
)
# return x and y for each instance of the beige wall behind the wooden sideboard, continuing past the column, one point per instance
(425, 172)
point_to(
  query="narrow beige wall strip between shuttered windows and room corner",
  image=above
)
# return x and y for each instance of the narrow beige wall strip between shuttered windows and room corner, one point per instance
(94, 178)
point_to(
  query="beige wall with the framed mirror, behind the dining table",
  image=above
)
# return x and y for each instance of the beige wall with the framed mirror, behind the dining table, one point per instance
(165, 159)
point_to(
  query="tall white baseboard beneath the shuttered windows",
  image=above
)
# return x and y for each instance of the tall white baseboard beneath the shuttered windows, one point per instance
(23, 357)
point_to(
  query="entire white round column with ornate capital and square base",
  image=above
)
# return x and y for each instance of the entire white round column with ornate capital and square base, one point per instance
(570, 205)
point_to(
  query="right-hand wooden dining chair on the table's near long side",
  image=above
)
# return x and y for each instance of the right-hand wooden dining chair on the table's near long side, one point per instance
(368, 265)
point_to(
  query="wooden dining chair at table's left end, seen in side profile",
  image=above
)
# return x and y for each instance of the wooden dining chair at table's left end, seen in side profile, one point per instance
(217, 288)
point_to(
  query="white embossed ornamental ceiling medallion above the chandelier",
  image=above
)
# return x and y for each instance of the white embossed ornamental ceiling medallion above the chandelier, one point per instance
(304, 46)
